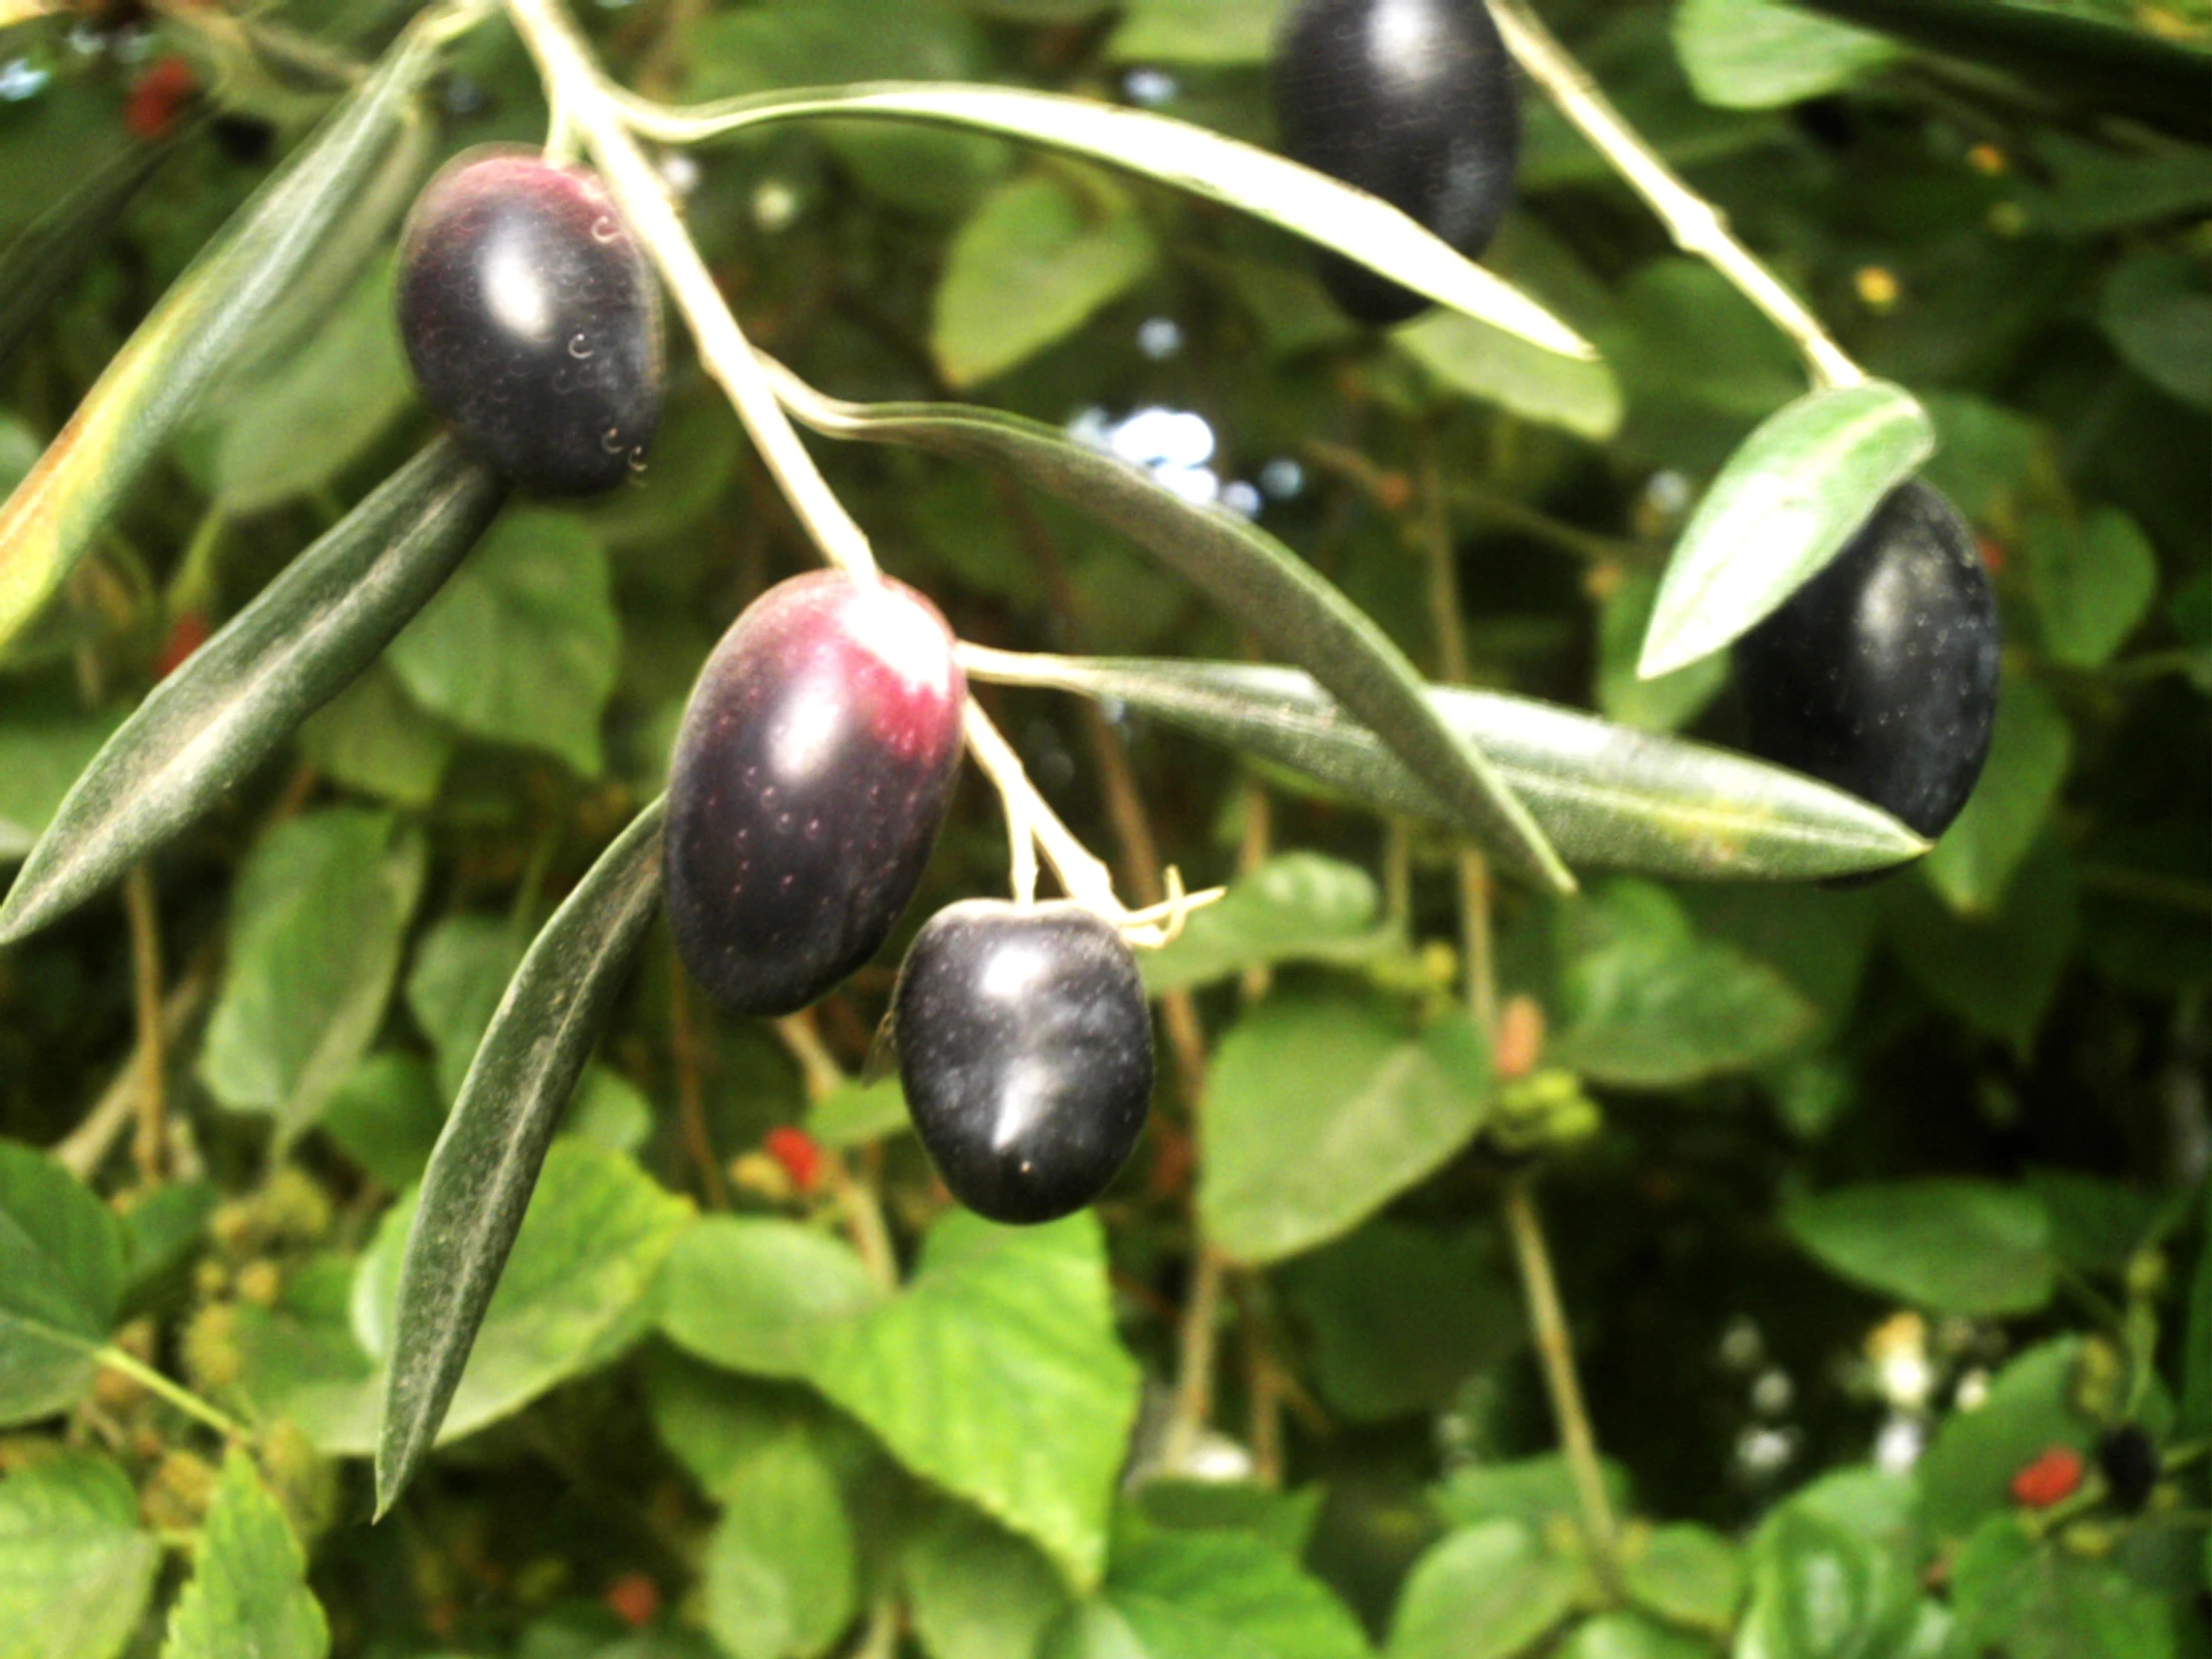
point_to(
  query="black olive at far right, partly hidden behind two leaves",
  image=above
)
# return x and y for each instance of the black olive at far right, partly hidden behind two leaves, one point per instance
(1881, 674)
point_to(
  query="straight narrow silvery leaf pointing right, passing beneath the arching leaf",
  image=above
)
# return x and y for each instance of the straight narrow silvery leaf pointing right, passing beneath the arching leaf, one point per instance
(1607, 795)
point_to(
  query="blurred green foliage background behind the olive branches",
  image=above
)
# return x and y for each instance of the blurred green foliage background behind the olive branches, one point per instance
(1864, 1200)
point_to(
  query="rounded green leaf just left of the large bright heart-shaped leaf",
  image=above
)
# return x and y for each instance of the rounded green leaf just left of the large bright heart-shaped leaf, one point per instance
(762, 1297)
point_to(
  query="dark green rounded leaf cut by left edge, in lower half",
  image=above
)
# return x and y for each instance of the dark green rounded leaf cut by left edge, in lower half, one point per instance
(61, 1284)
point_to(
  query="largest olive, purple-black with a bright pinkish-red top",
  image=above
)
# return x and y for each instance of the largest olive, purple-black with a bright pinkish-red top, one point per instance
(811, 778)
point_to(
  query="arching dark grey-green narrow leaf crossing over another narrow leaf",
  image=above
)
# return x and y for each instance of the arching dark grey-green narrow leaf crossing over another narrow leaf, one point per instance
(1286, 603)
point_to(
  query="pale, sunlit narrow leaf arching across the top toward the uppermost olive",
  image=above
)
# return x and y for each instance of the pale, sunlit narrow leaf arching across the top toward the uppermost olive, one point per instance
(1189, 158)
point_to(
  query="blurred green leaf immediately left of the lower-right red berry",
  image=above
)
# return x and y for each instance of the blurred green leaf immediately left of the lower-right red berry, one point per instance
(1974, 1457)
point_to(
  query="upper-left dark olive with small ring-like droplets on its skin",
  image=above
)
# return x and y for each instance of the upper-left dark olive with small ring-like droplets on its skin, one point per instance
(532, 322)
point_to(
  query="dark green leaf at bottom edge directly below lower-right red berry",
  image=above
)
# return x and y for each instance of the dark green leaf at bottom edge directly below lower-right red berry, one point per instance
(2038, 1600)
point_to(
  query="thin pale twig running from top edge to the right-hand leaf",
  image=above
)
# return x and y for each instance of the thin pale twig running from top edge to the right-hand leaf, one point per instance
(1698, 227)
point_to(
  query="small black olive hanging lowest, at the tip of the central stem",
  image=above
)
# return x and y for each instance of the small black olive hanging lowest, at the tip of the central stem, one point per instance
(1025, 1050)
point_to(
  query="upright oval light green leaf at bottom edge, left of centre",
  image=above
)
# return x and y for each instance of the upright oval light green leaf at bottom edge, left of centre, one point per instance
(780, 1565)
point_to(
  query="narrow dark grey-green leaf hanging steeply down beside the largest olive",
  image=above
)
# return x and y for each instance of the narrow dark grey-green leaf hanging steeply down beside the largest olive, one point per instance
(488, 1160)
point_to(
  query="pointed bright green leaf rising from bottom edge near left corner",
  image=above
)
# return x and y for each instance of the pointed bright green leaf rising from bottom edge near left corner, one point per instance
(249, 1596)
